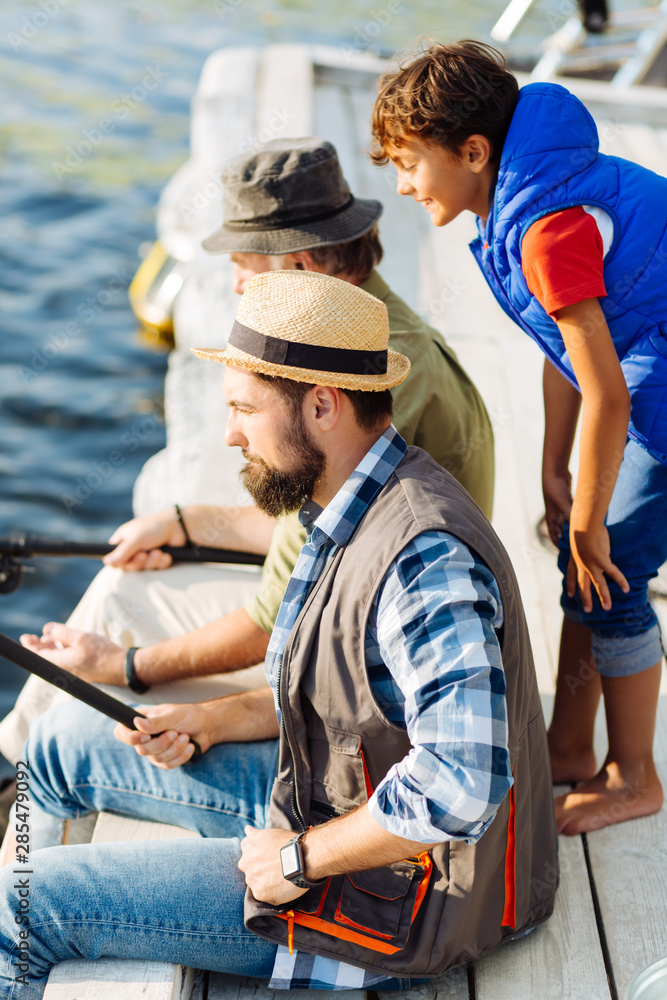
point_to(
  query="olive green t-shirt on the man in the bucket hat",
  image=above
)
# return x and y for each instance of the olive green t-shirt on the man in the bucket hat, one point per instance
(437, 408)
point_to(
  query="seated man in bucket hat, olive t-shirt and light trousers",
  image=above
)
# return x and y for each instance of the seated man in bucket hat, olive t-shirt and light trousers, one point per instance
(288, 206)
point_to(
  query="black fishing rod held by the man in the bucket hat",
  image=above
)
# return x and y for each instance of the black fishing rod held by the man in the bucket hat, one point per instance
(27, 546)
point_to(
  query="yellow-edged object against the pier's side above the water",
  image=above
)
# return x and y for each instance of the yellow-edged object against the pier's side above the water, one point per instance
(153, 290)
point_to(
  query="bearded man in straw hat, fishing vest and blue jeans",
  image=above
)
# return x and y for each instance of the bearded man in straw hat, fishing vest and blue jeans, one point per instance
(410, 826)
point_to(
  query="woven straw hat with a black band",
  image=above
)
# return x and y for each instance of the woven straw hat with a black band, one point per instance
(311, 327)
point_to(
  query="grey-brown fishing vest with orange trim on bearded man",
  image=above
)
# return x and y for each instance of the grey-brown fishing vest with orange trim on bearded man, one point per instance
(421, 915)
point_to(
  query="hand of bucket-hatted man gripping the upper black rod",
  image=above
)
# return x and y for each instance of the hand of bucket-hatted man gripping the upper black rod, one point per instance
(138, 541)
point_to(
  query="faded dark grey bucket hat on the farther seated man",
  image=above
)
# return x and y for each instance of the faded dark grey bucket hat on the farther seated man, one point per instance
(288, 195)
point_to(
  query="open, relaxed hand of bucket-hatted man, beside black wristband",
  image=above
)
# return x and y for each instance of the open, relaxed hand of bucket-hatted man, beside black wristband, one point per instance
(92, 657)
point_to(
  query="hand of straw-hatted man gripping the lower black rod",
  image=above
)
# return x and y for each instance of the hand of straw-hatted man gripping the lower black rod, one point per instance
(164, 736)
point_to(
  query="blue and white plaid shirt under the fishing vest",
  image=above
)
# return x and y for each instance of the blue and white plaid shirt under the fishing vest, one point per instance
(434, 665)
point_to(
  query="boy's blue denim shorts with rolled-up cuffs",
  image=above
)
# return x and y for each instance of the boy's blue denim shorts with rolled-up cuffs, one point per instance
(626, 639)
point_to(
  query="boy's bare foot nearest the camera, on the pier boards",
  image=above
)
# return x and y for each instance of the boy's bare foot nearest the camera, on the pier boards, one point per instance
(606, 799)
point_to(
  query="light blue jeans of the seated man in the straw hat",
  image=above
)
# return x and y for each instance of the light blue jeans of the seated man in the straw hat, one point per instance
(178, 901)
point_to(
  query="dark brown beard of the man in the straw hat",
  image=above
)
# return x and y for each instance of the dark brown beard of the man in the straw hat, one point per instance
(277, 492)
